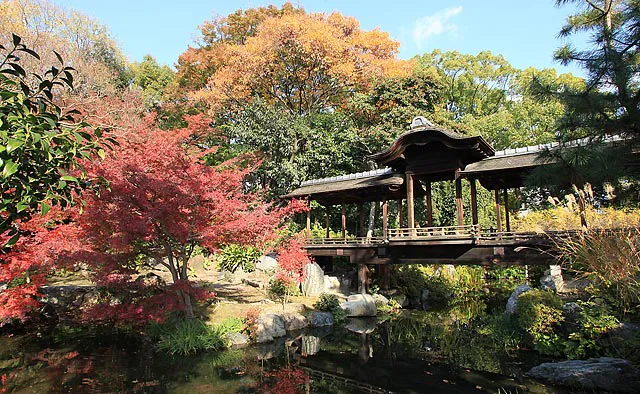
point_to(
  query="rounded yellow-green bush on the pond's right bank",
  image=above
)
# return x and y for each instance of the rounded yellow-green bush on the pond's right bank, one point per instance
(540, 315)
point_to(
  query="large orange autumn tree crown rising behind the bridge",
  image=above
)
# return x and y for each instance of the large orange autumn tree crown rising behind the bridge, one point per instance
(302, 62)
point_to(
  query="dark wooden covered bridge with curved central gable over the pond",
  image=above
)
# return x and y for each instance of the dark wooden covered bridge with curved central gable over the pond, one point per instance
(419, 157)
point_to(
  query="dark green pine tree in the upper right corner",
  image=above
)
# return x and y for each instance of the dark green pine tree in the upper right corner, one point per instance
(609, 101)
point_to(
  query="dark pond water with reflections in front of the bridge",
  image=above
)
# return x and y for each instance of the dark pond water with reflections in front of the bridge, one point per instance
(413, 352)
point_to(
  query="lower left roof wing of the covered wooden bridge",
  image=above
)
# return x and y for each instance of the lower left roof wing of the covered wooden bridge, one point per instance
(353, 188)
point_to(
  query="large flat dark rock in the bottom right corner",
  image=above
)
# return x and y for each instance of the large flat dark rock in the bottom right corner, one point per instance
(604, 373)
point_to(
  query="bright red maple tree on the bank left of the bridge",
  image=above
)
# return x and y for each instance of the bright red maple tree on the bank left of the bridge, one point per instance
(162, 202)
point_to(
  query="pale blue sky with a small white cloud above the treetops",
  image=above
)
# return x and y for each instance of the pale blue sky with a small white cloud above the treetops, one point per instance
(524, 31)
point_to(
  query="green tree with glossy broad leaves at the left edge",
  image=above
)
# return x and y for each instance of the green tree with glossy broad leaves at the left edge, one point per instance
(41, 147)
